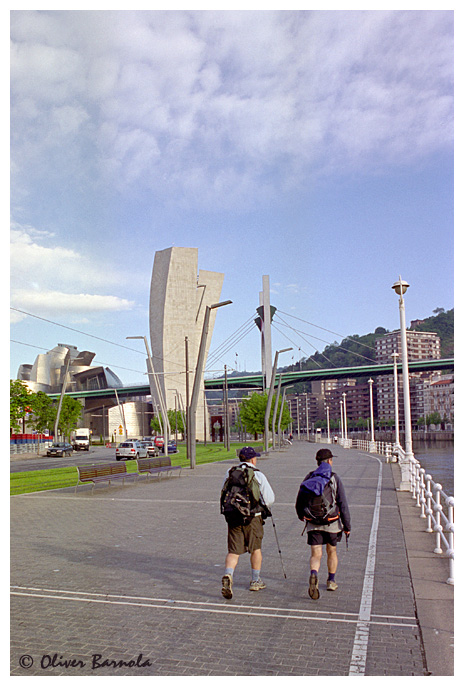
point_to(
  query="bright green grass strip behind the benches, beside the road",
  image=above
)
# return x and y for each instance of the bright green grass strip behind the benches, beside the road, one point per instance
(66, 477)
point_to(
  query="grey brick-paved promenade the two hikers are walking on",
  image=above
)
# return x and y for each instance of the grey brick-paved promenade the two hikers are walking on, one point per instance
(127, 581)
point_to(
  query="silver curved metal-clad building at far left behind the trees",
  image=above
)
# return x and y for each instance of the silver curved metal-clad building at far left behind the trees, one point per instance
(47, 374)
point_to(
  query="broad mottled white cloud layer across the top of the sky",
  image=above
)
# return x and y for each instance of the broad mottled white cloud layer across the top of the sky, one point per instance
(215, 105)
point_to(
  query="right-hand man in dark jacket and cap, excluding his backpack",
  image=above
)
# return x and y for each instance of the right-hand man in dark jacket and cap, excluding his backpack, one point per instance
(329, 534)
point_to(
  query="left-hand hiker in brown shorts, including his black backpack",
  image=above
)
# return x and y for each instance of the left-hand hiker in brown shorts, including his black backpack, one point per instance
(246, 497)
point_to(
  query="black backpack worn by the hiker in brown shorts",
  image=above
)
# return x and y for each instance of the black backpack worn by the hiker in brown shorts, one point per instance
(240, 495)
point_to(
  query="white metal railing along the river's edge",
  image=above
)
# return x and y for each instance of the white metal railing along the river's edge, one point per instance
(429, 496)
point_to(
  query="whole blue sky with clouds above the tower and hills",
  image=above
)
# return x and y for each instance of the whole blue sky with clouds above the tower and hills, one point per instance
(313, 147)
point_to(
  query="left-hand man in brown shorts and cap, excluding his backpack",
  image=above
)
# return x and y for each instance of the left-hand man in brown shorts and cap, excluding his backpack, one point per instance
(247, 536)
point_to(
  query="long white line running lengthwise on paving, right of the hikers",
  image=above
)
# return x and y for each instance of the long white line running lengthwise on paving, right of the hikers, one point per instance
(361, 639)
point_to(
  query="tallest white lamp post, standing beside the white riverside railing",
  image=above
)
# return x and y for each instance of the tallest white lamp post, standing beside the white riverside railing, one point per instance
(400, 287)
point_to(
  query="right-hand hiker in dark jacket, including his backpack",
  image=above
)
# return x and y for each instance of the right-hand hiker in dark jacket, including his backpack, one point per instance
(322, 504)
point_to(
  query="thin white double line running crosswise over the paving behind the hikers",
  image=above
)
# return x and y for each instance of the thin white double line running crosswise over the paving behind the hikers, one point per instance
(195, 606)
